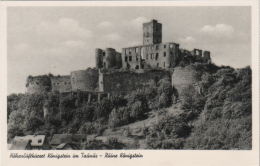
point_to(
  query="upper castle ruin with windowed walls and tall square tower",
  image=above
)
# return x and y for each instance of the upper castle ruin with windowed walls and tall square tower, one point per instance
(153, 52)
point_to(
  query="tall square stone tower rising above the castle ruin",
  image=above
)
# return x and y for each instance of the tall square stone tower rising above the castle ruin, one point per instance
(152, 33)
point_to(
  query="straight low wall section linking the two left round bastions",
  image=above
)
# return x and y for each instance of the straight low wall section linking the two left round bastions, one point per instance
(61, 83)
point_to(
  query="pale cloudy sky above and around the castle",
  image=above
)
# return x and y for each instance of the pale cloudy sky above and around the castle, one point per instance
(58, 40)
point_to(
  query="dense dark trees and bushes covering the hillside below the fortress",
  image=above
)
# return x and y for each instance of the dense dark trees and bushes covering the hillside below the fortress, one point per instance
(219, 116)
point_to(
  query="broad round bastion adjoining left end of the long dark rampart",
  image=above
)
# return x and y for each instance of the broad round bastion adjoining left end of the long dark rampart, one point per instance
(85, 80)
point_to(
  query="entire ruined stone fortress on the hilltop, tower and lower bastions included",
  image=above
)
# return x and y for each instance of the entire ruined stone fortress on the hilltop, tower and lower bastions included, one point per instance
(133, 63)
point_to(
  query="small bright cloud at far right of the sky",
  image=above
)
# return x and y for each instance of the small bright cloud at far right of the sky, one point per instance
(220, 30)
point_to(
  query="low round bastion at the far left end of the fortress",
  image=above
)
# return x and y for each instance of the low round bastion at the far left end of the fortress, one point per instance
(38, 84)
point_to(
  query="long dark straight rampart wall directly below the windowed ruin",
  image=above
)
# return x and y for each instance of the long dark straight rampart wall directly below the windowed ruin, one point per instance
(129, 81)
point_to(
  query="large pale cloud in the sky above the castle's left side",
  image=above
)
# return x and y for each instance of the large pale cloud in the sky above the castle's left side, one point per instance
(65, 28)
